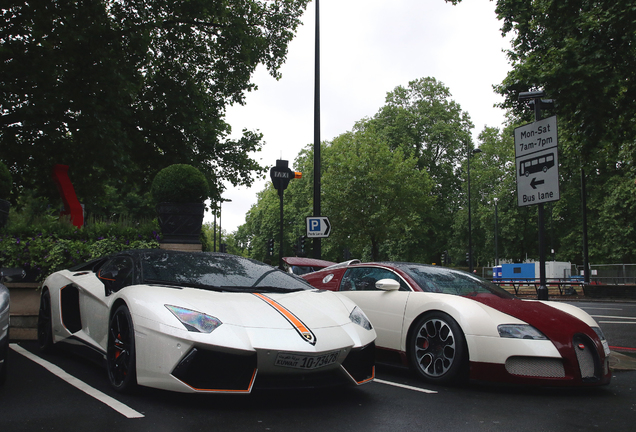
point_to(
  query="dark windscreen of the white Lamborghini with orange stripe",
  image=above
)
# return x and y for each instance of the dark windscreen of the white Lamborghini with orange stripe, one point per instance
(208, 270)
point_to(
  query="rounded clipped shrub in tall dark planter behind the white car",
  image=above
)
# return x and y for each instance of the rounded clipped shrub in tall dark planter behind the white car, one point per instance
(179, 192)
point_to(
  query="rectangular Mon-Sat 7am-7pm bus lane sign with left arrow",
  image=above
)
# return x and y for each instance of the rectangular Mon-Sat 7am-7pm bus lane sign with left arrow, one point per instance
(537, 162)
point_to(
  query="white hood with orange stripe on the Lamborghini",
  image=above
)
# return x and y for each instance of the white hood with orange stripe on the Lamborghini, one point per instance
(315, 309)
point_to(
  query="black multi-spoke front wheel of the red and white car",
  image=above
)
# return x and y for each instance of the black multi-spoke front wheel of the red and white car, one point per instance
(438, 351)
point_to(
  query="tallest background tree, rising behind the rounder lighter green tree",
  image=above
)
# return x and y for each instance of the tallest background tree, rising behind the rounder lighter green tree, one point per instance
(424, 122)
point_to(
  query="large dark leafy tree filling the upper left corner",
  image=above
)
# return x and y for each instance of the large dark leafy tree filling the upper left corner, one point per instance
(120, 89)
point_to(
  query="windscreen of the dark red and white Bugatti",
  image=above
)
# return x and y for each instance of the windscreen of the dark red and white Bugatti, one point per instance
(447, 281)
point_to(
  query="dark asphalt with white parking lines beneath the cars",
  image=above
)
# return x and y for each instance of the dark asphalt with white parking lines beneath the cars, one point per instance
(63, 392)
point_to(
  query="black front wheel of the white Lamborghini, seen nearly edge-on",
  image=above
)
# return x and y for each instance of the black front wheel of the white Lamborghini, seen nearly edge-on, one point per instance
(120, 354)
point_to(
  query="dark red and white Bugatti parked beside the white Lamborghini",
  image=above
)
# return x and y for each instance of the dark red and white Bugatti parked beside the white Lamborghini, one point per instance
(450, 325)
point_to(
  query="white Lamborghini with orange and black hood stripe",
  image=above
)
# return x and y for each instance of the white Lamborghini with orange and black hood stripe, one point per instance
(205, 322)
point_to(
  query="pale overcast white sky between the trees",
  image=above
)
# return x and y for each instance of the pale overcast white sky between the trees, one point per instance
(367, 48)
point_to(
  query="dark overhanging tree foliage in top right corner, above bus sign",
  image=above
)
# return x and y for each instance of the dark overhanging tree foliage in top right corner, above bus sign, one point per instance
(583, 55)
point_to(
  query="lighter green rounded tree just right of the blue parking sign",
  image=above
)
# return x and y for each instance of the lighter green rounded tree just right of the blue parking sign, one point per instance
(375, 195)
